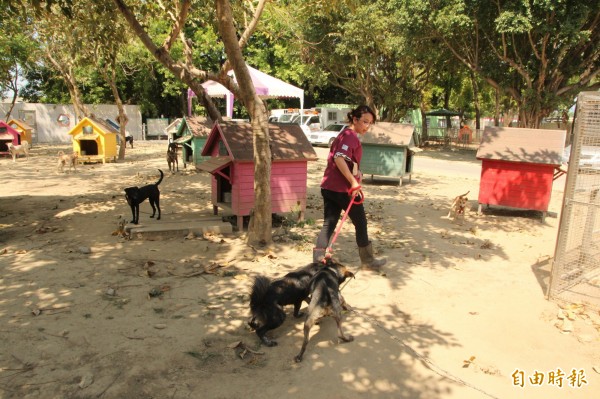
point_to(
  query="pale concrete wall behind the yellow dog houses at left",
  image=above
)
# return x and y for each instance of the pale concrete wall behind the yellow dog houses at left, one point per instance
(51, 123)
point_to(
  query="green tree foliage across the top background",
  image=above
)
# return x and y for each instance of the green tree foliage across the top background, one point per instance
(394, 54)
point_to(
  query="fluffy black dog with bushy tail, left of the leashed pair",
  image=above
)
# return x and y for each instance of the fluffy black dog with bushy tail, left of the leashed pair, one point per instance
(268, 299)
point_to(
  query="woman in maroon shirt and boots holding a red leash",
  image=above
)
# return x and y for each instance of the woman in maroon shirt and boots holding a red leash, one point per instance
(340, 180)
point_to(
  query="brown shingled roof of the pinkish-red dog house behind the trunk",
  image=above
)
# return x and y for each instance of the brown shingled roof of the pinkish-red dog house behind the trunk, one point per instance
(288, 142)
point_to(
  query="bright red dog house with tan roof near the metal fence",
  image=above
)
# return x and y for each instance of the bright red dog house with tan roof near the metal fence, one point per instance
(518, 166)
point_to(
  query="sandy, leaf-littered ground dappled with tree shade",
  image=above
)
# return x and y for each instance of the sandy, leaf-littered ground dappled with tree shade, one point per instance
(459, 311)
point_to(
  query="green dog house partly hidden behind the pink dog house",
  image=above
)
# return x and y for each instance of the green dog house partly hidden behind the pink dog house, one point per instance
(191, 136)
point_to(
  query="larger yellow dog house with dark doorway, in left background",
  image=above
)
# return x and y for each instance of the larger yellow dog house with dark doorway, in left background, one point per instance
(94, 140)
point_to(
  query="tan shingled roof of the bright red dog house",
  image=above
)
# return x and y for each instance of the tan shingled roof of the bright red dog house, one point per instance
(540, 146)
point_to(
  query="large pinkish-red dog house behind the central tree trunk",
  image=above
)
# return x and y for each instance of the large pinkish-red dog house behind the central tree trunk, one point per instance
(232, 167)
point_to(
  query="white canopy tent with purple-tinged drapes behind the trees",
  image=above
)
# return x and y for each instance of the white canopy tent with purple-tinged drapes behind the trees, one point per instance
(266, 87)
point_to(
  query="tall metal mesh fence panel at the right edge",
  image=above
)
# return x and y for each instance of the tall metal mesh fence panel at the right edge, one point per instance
(575, 276)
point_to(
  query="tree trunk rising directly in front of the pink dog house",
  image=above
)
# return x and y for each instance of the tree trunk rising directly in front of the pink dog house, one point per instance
(259, 230)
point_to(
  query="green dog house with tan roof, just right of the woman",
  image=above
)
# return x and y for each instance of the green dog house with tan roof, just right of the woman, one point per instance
(388, 150)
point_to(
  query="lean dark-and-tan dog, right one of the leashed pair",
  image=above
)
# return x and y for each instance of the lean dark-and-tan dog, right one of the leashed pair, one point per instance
(326, 300)
